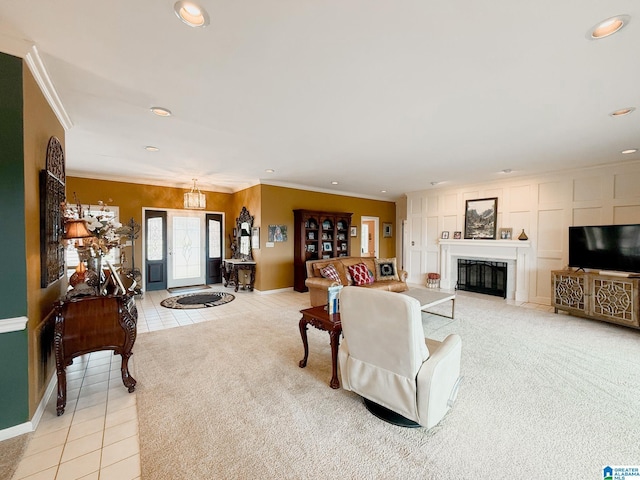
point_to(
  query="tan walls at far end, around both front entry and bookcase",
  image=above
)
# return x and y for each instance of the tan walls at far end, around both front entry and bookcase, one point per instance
(269, 205)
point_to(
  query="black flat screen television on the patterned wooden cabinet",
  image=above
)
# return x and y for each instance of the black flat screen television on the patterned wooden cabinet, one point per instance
(605, 247)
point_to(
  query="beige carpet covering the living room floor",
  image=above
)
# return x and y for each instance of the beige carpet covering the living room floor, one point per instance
(544, 396)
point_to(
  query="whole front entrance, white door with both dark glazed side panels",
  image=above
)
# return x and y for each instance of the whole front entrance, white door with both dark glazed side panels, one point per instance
(182, 248)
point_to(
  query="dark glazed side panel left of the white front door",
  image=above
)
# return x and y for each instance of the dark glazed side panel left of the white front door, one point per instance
(156, 249)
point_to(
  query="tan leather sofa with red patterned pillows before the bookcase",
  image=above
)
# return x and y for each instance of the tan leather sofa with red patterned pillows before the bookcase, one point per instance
(386, 276)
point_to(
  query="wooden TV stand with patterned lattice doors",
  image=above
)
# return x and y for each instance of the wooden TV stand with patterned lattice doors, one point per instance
(610, 298)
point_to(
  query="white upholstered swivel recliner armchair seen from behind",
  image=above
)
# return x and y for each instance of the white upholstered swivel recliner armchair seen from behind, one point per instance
(385, 358)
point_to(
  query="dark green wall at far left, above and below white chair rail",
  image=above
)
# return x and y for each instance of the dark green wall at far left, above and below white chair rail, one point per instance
(14, 388)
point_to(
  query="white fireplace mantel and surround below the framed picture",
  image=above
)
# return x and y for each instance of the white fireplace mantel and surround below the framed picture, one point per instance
(515, 253)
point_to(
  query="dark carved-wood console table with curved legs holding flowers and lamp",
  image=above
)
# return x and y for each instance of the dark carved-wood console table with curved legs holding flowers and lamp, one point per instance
(89, 324)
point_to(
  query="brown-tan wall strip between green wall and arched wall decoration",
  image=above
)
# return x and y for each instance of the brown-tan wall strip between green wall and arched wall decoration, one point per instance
(40, 123)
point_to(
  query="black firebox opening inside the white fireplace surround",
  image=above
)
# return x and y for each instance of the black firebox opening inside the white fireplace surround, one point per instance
(482, 276)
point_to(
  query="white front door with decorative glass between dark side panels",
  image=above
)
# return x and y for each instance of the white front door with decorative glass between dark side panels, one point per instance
(186, 244)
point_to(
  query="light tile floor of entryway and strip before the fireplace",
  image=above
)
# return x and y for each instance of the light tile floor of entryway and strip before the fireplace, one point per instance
(97, 436)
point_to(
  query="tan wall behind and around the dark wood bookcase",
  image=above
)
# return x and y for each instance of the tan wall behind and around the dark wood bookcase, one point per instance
(276, 263)
